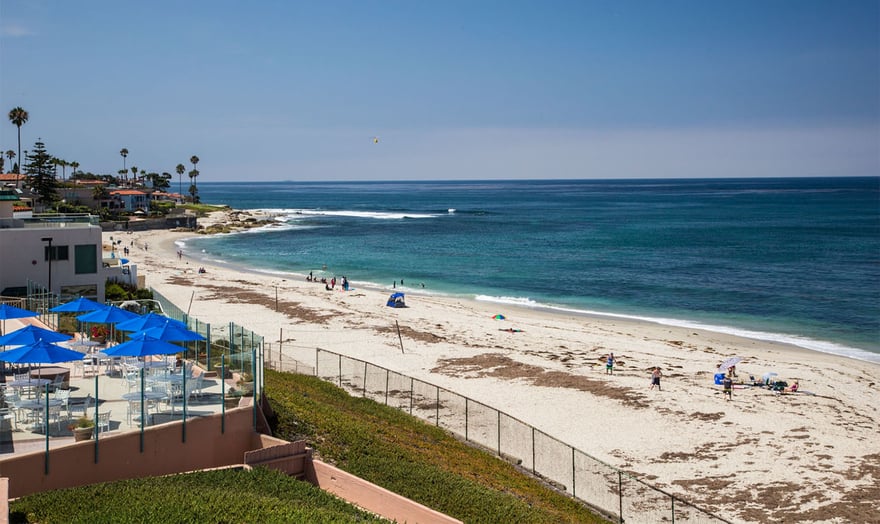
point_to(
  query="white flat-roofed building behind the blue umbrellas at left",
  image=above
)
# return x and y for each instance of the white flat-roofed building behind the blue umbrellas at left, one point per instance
(61, 252)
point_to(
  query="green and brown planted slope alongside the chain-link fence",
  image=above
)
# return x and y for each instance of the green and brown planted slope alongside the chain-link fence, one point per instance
(407, 456)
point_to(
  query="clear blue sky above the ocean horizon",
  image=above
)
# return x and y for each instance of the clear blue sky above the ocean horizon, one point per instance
(289, 90)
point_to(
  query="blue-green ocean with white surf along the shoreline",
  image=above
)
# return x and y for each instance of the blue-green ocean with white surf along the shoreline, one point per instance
(795, 260)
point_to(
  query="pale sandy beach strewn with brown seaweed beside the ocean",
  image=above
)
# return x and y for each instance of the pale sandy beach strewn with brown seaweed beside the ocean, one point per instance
(811, 456)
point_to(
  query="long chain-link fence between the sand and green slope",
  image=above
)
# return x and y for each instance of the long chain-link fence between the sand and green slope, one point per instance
(613, 492)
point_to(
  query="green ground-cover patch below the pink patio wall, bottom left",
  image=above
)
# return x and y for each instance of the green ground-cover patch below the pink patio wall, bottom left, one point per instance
(258, 495)
